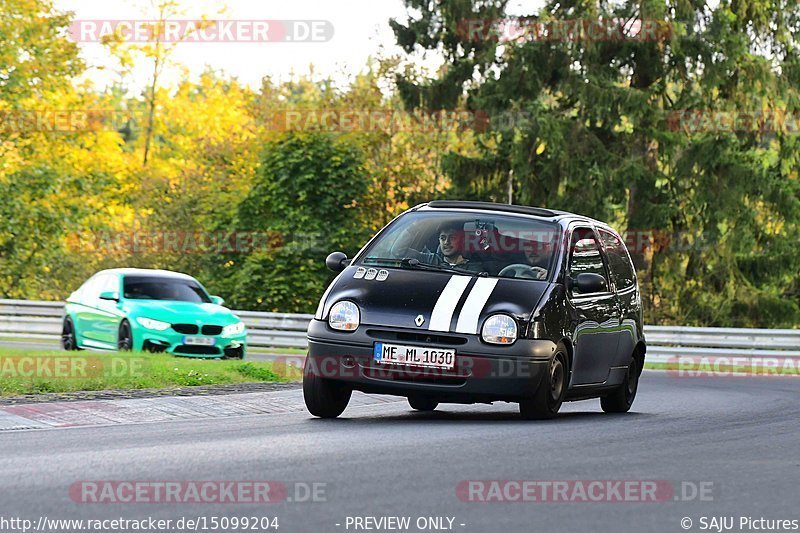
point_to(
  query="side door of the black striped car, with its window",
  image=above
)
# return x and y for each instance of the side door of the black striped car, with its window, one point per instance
(596, 316)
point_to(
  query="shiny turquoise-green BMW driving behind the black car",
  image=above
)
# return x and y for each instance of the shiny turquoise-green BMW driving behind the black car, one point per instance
(151, 310)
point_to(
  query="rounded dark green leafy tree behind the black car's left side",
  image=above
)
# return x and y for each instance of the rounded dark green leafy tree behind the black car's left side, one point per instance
(307, 199)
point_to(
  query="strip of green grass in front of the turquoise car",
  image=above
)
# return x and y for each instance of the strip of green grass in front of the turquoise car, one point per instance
(24, 371)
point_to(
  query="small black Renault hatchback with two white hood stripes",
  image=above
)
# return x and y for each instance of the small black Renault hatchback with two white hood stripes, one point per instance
(468, 302)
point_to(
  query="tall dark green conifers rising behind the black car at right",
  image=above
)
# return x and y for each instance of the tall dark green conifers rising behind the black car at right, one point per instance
(589, 125)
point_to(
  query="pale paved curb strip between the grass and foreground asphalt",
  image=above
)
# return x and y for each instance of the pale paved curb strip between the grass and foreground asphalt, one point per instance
(160, 409)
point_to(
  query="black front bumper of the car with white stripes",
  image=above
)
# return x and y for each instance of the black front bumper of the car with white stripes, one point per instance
(482, 372)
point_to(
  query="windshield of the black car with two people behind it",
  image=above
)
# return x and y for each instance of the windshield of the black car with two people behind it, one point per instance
(469, 242)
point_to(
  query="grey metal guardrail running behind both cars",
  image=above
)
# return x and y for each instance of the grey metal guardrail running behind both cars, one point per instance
(26, 319)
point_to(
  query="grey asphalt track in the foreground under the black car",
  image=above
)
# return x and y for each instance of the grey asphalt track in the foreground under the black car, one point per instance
(739, 435)
